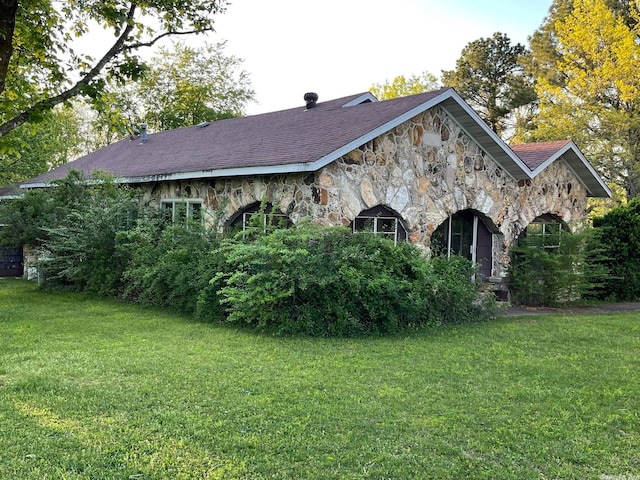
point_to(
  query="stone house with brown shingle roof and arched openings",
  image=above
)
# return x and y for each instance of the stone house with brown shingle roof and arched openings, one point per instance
(424, 168)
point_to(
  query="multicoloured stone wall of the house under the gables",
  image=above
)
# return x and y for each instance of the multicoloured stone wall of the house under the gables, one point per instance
(425, 170)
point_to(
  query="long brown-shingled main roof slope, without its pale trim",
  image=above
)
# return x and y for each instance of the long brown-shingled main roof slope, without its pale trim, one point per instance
(287, 137)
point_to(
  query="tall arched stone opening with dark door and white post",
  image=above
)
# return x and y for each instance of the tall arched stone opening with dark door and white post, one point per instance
(467, 234)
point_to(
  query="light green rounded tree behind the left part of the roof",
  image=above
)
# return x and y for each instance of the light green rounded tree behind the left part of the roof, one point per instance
(185, 86)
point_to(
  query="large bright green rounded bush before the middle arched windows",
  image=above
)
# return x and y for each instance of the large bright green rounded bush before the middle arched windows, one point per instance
(326, 281)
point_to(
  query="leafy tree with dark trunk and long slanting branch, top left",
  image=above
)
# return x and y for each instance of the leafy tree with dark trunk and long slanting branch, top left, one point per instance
(39, 67)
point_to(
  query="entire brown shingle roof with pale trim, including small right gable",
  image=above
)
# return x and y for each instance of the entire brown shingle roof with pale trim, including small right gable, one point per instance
(300, 139)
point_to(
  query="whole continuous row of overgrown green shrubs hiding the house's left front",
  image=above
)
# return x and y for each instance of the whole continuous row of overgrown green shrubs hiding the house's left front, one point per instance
(312, 280)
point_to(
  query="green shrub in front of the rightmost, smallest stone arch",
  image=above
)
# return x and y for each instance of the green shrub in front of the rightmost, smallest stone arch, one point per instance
(551, 275)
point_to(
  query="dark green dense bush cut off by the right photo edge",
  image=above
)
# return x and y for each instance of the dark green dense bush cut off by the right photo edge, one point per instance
(618, 237)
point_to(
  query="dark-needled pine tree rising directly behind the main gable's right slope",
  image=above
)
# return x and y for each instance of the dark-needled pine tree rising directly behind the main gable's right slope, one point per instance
(489, 75)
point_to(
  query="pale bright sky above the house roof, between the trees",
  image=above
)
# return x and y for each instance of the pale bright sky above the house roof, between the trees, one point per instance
(340, 47)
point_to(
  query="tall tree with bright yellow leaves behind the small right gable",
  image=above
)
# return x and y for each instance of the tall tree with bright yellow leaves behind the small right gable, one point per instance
(592, 92)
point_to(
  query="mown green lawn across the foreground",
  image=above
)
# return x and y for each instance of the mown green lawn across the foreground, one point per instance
(101, 390)
